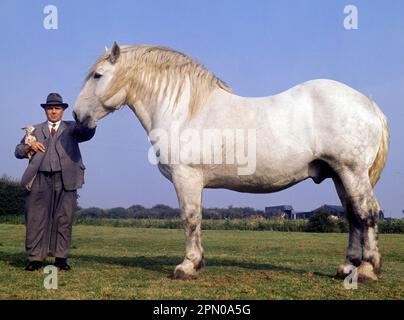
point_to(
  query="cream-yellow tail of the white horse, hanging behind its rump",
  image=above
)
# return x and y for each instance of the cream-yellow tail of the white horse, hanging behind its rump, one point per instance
(378, 164)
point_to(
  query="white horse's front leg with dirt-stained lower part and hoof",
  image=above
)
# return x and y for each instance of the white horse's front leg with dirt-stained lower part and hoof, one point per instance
(189, 191)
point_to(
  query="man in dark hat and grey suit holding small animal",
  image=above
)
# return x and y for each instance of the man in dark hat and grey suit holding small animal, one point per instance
(53, 175)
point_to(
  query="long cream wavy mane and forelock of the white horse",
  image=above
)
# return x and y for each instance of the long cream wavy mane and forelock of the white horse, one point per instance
(146, 68)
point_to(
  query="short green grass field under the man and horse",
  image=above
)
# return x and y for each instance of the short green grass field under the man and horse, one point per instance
(137, 263)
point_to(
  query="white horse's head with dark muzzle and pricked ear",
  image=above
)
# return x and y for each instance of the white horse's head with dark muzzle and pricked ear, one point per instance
(99, 96)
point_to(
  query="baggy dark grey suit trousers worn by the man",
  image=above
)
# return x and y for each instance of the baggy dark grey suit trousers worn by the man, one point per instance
(49, 213)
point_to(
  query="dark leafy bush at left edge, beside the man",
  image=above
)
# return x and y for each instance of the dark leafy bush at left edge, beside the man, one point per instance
(12, 196)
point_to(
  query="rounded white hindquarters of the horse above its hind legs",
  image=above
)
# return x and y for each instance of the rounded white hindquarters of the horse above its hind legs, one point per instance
(346, 123)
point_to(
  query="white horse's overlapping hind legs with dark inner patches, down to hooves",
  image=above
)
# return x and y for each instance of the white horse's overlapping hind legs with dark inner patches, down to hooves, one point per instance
(362, 210)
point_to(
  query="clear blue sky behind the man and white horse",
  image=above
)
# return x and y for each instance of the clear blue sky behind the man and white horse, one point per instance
(258, 47)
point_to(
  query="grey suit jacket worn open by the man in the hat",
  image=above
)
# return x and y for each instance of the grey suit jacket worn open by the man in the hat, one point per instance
(68, 136)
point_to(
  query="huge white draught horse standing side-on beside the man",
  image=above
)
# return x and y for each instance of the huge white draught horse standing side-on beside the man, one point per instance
(319, 129)
